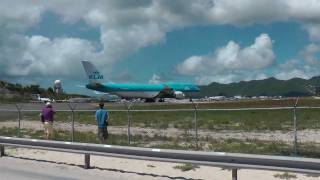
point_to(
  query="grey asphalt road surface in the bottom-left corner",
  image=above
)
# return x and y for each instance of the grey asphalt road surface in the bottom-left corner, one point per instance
(16, 169)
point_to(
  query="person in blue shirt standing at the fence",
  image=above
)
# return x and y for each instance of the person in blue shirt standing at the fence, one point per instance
(102, 122)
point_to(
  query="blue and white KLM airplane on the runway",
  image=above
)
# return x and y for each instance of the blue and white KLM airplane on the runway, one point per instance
(149, 92)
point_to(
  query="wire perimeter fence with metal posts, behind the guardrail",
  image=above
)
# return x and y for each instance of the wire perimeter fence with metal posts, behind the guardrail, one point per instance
(193, 128)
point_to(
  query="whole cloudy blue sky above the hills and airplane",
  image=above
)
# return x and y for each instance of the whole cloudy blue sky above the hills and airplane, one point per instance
(155, 41)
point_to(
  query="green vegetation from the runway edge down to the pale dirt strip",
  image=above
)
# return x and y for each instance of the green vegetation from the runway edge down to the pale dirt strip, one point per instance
(243, 120)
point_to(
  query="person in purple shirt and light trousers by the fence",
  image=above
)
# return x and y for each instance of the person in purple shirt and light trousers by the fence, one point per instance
(47, 115)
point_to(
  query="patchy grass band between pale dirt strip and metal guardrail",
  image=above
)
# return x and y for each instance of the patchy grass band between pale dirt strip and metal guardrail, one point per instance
(229, 145)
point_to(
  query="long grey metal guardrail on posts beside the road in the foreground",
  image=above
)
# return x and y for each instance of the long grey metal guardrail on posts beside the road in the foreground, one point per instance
(232, 161)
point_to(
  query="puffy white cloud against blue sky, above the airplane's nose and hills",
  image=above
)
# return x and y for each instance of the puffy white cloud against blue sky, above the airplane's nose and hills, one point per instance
(230, 61)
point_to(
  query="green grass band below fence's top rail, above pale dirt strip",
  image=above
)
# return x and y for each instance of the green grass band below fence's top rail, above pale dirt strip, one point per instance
(250, 120)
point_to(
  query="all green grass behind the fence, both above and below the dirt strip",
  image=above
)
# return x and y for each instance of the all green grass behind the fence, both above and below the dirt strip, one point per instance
(244, 120)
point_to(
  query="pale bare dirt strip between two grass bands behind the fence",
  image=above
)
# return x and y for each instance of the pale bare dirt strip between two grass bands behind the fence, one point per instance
(304, 136)
